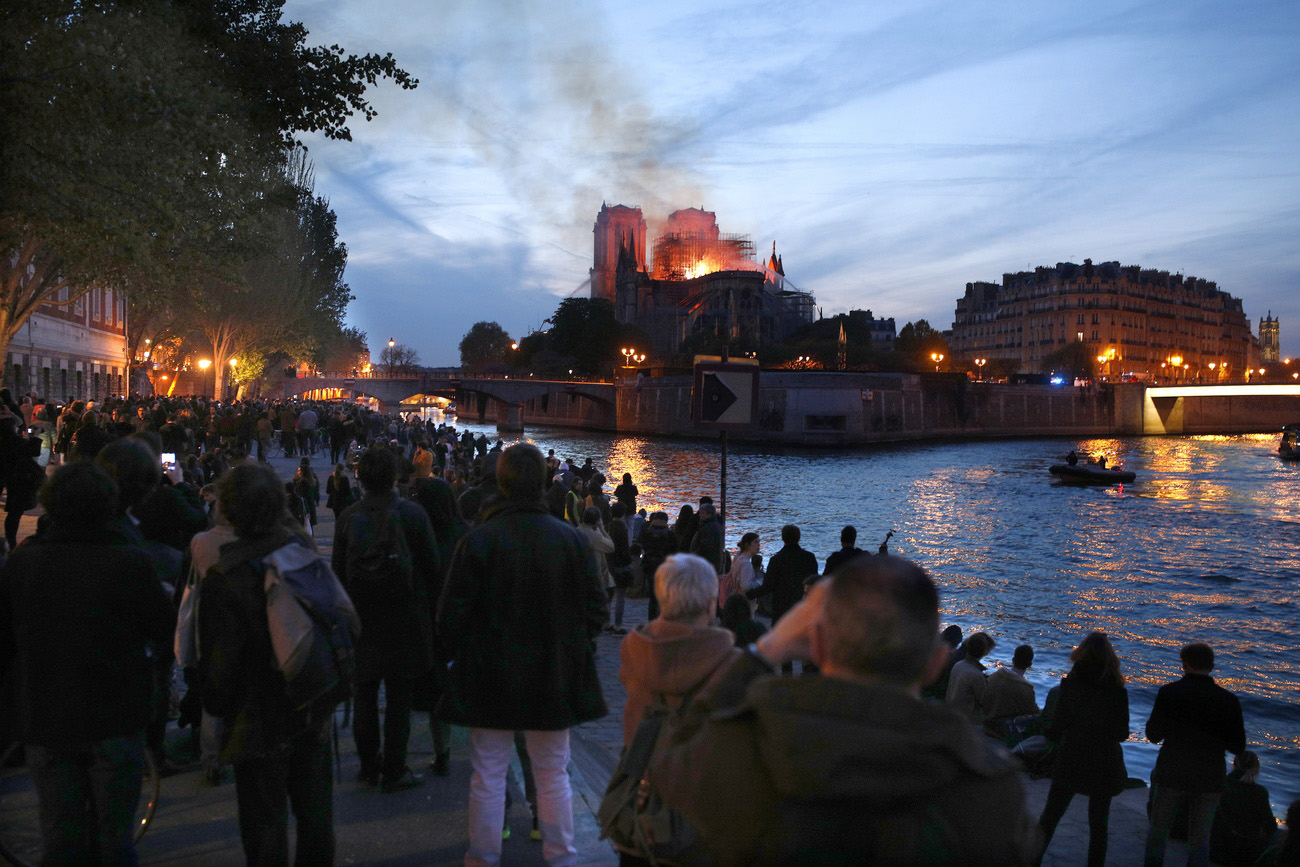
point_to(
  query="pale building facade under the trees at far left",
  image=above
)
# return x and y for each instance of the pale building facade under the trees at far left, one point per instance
(72, 350)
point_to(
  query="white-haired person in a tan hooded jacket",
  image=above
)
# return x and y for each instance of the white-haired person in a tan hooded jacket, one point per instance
(681, 652)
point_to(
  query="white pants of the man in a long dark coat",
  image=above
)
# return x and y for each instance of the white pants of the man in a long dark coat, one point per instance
(489, 756)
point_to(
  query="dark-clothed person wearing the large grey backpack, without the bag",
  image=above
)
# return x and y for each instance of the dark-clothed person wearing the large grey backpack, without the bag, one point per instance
(280, 753)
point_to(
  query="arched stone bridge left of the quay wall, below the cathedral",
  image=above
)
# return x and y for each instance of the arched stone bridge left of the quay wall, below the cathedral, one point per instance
(474, 396)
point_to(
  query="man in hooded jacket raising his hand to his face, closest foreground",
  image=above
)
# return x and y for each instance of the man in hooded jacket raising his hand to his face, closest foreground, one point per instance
(850, 766)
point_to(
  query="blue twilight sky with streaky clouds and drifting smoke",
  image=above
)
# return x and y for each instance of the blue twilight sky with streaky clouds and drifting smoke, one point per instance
(892, 150)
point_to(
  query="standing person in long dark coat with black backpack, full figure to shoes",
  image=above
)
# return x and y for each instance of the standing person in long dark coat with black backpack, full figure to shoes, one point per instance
(387, 556)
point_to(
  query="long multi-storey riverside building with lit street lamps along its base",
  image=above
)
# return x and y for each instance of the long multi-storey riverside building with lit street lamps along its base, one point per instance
(1136, 322)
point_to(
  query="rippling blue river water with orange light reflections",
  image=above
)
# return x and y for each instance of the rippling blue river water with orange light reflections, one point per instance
(1203, 547)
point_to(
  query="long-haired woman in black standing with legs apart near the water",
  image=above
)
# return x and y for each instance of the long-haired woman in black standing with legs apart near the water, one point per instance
(1091, 722)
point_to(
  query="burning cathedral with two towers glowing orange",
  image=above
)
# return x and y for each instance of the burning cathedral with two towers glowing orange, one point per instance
(703, 281)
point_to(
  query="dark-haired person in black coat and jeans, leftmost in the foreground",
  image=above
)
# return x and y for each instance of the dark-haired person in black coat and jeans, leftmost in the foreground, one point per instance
(81, 617)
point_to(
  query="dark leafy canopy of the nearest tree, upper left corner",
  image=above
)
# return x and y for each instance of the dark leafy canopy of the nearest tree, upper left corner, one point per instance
(136, 137)
